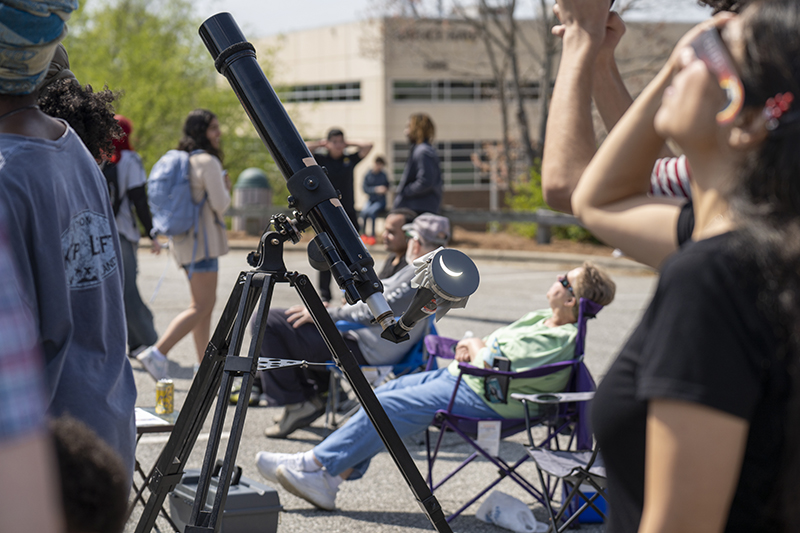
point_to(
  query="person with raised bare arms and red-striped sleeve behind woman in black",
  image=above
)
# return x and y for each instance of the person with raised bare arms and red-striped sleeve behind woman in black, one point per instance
(588, 73)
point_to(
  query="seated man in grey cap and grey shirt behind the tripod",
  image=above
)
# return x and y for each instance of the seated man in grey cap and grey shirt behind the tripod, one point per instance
(291, 334)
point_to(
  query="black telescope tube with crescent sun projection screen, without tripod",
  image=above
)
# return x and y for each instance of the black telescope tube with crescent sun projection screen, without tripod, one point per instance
(317, 204)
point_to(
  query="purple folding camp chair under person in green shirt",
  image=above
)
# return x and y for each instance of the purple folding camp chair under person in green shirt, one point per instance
(571, 420)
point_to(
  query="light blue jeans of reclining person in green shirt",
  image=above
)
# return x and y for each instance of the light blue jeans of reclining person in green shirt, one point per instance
(410, 401)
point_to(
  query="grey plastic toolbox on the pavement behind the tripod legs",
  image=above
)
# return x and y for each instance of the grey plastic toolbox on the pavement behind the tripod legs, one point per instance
(251, 507)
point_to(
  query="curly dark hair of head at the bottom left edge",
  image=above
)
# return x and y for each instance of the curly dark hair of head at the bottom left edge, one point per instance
(94, 484)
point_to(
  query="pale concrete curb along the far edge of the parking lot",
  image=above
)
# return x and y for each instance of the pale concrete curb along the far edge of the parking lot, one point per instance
(522, 256)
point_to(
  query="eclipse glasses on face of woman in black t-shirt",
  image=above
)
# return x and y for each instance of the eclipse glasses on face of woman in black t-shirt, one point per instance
(711, 50)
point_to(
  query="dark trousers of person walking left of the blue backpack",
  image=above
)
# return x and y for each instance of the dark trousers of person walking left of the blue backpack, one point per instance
(138, 317)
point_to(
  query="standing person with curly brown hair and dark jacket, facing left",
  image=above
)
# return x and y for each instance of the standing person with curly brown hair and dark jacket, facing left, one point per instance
(420, 188)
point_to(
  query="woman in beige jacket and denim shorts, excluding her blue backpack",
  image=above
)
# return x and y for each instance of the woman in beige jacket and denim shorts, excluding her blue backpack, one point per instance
(201, 134)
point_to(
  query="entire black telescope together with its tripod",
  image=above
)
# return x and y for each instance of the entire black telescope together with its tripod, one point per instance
(444, 278)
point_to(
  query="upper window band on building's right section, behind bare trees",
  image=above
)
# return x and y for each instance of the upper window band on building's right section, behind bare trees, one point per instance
(455, 90)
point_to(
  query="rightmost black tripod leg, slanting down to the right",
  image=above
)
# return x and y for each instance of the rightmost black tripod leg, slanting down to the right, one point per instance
(372, 407)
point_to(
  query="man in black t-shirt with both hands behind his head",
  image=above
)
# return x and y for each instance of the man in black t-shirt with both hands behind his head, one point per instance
(340, 166)
